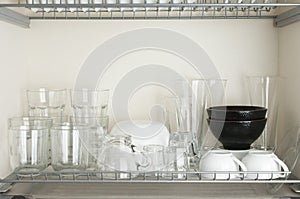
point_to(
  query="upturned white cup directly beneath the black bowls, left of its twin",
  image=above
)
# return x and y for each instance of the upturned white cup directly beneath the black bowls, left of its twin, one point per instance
(221, 164)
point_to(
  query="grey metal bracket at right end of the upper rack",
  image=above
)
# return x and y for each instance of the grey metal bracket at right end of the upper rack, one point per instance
(288, 17)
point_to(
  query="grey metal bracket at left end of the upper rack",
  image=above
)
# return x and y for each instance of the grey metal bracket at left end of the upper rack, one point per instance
(15, 18)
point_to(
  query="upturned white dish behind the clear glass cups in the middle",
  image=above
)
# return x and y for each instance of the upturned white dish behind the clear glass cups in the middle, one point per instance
(143, 132)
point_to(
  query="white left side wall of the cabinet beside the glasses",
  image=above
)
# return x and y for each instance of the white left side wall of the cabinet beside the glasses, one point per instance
(13, 82)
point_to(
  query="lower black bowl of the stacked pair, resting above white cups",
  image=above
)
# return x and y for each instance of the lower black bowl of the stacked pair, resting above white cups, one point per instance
(237, 135)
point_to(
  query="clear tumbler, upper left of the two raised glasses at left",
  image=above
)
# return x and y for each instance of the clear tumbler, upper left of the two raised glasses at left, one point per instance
(47, 103)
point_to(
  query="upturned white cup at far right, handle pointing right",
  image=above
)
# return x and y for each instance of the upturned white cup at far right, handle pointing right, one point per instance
(266, 165)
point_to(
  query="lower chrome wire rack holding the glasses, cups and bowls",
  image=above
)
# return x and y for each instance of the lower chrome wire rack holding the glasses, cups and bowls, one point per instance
(151, 177)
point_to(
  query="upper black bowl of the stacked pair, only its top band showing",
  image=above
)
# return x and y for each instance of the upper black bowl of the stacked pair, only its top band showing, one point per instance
(237, 113)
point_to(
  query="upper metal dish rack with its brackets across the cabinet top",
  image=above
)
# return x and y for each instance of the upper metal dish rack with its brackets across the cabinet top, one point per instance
(22, 11)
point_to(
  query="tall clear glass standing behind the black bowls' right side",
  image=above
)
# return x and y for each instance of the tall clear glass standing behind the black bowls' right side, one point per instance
(263, 91)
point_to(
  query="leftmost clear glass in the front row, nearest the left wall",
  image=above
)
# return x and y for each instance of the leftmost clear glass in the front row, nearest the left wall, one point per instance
(29, 143)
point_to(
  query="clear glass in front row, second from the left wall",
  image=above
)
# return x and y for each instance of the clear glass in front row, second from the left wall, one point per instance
(68, 152)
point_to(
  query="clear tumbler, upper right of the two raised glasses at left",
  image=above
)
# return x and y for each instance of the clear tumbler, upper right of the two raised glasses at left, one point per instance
(89, 103)
